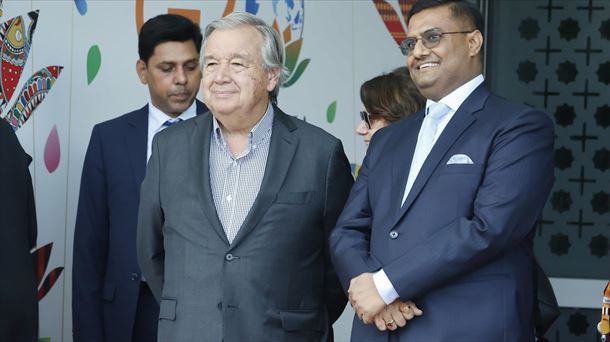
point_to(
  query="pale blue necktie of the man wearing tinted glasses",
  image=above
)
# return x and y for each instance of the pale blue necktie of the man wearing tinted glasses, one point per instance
(436, 112)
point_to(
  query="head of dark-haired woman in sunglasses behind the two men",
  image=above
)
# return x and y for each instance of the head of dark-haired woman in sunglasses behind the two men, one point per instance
(387, 98)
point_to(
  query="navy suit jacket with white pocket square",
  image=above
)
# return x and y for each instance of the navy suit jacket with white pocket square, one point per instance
(461, 245)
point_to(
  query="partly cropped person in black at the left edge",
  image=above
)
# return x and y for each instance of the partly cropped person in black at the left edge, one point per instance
(18, 294)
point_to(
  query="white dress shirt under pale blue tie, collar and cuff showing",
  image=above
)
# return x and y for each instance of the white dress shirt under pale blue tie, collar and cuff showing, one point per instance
(453, 100)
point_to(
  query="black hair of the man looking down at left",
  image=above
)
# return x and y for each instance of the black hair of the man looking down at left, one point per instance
(167, 28)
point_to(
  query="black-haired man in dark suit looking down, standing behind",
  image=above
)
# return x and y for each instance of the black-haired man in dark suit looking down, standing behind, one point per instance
(110, 299)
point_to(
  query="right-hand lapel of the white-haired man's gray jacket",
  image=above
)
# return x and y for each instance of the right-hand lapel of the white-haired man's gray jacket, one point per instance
(282, 148)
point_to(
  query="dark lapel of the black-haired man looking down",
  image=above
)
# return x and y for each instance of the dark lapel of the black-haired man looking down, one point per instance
(136, 139)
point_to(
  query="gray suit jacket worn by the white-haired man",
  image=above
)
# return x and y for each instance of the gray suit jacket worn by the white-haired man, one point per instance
(275, 281)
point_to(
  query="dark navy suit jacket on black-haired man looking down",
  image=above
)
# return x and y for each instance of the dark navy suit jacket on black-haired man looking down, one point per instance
(106, 276)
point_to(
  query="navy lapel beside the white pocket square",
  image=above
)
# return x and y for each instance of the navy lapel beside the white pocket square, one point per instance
(461, 120)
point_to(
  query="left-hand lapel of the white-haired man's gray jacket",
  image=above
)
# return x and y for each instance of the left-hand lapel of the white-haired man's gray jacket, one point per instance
(199, 146)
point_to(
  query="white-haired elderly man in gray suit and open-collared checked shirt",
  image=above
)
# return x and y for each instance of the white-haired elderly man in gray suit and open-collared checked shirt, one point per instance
(237, 205)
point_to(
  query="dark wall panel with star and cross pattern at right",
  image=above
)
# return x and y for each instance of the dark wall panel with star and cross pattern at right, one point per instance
(555, 55)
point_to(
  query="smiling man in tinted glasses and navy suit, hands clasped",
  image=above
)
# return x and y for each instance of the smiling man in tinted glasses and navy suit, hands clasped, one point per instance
(445, 204)
